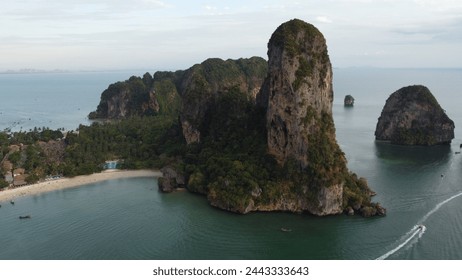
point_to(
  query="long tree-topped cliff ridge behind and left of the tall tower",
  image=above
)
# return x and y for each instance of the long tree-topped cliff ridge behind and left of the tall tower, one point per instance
(189, 93)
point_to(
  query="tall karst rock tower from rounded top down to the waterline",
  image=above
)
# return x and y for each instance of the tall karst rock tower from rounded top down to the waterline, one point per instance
(298, 95)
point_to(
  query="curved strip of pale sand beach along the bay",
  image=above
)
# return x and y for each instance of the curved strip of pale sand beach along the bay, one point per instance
(63, 183)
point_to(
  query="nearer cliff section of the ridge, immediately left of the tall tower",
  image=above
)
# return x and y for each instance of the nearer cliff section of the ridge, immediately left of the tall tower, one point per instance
(202, 83)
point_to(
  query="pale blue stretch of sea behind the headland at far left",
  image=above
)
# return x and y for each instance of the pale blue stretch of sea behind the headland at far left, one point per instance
(54, 100)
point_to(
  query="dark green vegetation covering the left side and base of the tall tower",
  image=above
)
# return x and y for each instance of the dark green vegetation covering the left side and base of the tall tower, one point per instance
(231, 165)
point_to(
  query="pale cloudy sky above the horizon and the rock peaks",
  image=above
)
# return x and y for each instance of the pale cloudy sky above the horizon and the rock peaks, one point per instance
(164, 34)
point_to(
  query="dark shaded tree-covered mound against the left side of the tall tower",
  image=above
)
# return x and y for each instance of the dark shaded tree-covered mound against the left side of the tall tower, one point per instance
(231, 162)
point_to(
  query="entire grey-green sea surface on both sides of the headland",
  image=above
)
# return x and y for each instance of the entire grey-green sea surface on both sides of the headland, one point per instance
(421, 187)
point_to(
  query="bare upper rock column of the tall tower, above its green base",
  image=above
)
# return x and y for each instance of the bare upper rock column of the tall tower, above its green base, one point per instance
(299, 88)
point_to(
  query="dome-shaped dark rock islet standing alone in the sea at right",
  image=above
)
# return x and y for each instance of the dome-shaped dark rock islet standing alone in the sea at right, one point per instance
(412, 116)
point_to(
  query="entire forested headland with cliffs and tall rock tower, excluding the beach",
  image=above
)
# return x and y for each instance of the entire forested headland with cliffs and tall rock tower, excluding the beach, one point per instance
(249, 134)
